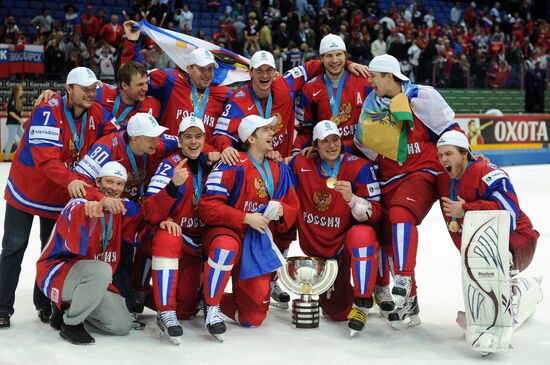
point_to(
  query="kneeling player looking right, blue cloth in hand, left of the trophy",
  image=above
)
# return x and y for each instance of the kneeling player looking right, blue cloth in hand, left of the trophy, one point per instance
(242, 204)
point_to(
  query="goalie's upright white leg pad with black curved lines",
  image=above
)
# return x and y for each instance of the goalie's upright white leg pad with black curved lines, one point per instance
(486, 280)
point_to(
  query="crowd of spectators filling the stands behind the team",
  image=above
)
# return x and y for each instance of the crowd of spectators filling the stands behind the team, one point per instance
(482, 46)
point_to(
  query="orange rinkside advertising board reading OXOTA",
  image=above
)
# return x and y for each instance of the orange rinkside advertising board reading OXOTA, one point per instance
(489, 132)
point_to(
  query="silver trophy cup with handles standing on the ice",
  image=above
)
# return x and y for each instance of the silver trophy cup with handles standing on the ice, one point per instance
(307, 276)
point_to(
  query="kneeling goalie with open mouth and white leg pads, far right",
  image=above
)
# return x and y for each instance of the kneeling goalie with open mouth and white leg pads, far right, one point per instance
(496, 240)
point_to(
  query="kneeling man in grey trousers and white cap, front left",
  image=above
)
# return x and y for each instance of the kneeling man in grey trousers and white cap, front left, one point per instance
(76, 267)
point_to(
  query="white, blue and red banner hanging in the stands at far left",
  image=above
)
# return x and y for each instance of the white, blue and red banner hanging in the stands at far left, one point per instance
(29, 60)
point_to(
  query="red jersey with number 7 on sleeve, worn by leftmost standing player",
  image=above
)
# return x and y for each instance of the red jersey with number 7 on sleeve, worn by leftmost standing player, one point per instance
(43, 164)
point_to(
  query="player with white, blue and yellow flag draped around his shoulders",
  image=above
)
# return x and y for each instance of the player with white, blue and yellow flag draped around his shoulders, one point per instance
(408, 180)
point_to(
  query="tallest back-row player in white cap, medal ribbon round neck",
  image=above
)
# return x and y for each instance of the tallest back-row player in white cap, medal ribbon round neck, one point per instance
(335, 95)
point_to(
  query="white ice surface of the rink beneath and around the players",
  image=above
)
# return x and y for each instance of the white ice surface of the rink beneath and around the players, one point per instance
(438, 340)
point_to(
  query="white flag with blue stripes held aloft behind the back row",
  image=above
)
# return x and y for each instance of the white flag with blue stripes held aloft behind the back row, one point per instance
(232, 67)
